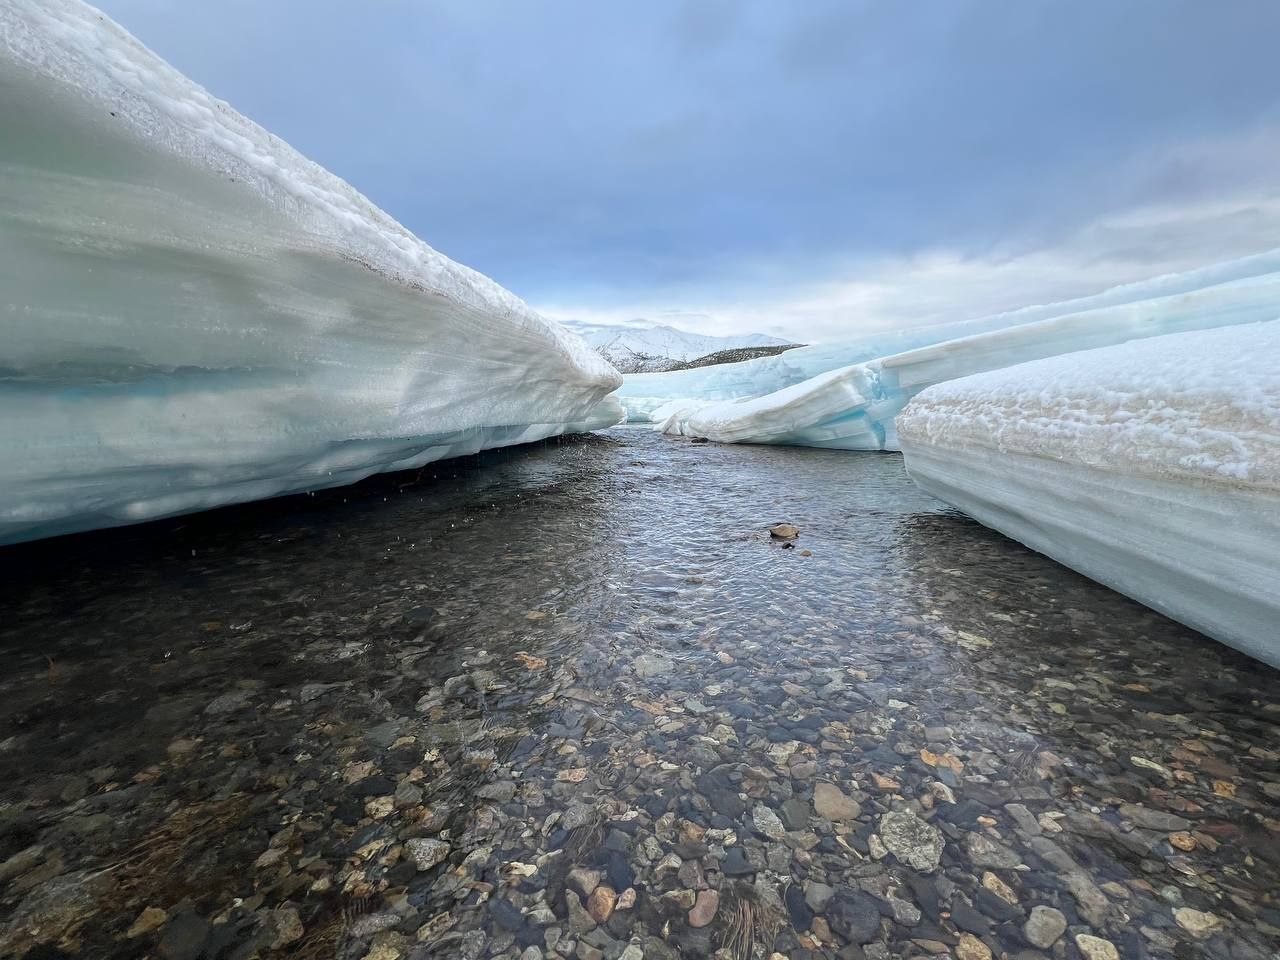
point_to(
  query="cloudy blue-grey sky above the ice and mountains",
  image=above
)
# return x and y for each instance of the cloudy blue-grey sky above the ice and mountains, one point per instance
(810, 171)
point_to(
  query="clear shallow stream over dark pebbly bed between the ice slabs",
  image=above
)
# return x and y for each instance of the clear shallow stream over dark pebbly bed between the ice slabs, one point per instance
(573, 701)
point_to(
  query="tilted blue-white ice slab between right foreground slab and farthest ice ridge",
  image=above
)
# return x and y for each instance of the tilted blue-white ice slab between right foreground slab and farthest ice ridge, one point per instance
(854, 408)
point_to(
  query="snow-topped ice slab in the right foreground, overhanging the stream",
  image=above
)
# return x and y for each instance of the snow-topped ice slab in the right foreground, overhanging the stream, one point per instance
(1153, 468)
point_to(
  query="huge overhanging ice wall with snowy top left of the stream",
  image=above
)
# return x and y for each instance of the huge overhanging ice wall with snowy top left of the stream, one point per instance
(194, 314)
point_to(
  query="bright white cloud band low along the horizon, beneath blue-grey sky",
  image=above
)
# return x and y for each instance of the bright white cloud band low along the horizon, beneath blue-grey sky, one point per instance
(940, 286)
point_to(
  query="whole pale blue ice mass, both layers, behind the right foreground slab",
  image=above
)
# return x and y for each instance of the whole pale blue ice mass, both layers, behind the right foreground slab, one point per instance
(847, 395)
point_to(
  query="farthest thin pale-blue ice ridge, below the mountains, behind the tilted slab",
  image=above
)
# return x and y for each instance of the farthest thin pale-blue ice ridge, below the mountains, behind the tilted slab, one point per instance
(653, 397)
